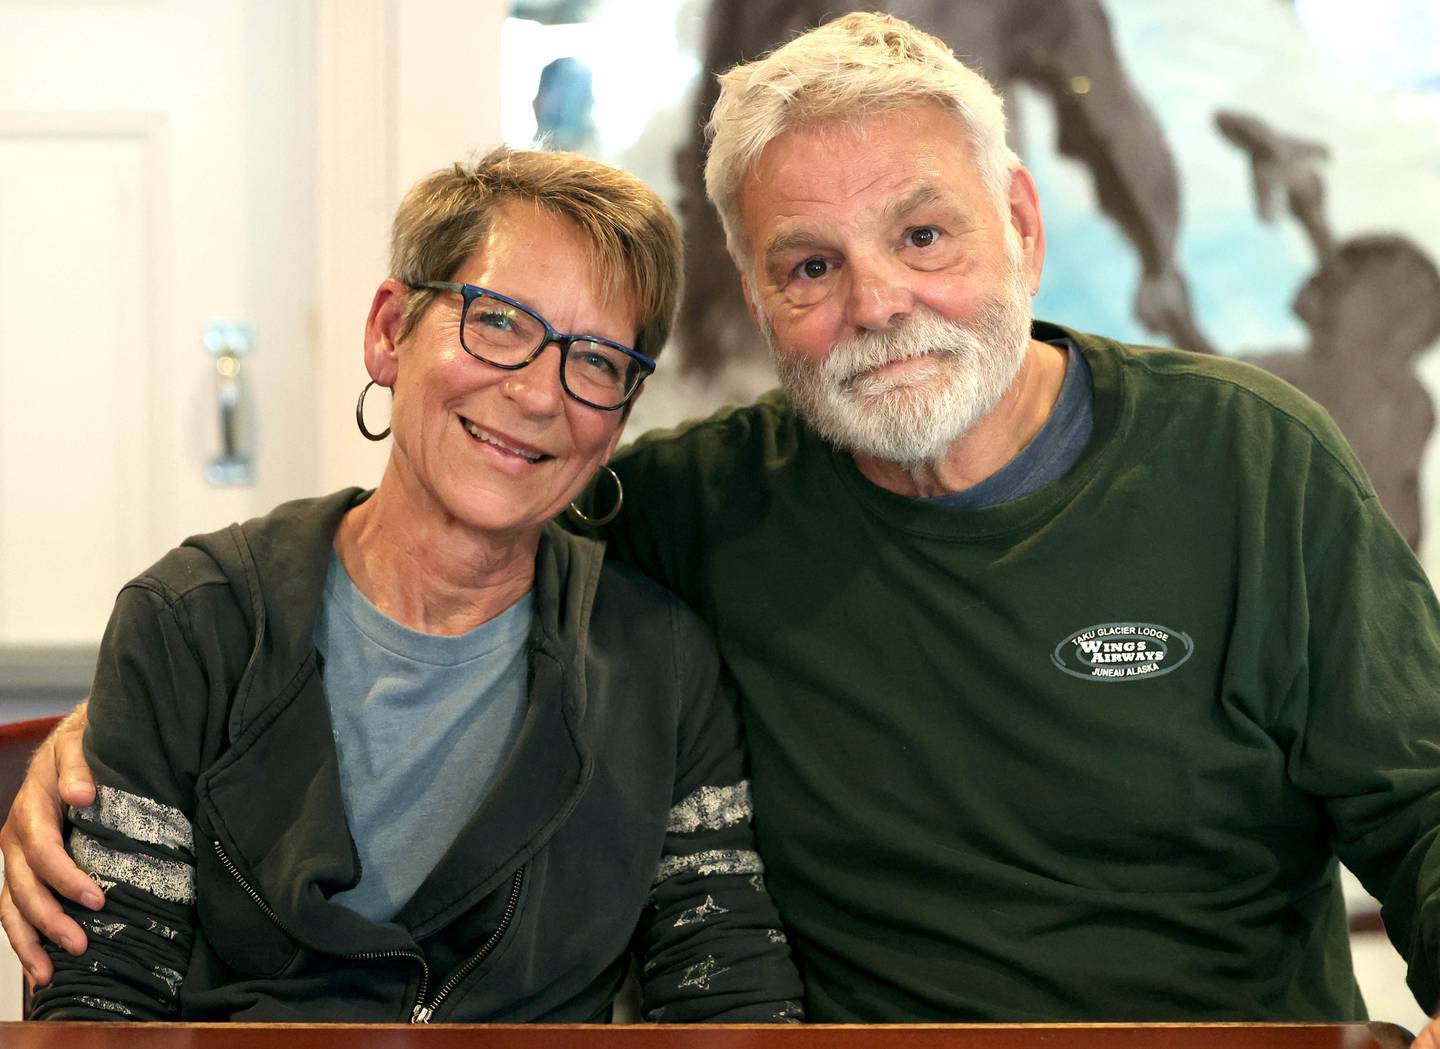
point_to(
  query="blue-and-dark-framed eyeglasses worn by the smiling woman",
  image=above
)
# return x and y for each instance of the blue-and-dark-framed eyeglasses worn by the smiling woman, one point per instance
(510, 335)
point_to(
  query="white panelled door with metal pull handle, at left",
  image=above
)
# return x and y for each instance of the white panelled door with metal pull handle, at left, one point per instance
(156, 178)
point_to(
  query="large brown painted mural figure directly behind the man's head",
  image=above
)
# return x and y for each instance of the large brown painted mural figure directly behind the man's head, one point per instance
(1063, 48)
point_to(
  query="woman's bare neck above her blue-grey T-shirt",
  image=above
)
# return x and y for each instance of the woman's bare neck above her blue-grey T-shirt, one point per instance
(424, 568)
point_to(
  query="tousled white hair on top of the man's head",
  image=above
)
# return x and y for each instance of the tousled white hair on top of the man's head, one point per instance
(843, 71)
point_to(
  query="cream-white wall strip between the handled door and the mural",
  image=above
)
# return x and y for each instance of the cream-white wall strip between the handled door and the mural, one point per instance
(392, 107)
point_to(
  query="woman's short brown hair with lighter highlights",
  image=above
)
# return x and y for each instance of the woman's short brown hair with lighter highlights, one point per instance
(446, 215)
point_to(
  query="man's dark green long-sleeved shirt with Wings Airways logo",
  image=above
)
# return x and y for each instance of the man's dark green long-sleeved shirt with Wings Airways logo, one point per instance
(1085, 756)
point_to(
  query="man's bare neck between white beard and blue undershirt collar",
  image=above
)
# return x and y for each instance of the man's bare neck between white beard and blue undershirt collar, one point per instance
(991, 443)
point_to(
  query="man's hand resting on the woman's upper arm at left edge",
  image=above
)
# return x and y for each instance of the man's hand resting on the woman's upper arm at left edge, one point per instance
(35, 858)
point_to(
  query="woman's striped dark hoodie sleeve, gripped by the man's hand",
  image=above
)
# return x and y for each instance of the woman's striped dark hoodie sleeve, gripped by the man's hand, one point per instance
(136, 841)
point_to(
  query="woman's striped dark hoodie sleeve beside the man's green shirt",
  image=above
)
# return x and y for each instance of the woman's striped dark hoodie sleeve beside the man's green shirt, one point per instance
(711, 943)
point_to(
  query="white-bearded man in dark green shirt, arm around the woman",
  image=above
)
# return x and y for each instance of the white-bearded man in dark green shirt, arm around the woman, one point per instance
(1069, 668)
